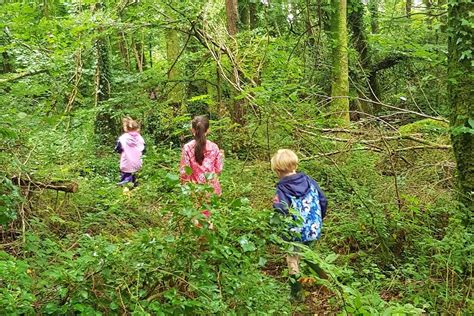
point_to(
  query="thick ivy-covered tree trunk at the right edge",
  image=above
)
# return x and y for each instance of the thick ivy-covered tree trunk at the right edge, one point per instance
(461, 94)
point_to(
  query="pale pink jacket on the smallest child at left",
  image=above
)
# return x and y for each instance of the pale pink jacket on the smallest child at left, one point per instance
(132, 145)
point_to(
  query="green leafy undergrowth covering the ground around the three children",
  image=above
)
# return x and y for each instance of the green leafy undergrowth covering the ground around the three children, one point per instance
(105, 251)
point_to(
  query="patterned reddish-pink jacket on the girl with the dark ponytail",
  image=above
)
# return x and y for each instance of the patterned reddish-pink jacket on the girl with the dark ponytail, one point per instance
(212, 164)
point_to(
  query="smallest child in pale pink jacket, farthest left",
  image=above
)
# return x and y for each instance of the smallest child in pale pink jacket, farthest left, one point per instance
(130, 146)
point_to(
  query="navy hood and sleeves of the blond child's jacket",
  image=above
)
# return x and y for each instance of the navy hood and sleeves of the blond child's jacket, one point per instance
(297, 186)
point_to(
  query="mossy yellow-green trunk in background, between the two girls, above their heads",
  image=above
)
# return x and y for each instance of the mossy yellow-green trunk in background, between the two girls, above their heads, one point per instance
(177, 92)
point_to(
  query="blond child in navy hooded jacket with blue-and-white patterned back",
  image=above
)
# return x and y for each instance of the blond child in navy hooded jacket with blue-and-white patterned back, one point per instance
(301, 193)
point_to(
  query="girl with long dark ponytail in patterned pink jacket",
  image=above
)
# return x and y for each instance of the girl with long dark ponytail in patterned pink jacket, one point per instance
(202, 156)
